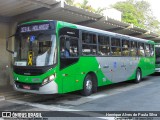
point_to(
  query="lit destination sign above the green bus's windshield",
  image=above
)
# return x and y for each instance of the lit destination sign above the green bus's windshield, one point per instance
(34, 28)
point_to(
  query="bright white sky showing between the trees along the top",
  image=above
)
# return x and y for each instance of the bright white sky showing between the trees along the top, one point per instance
(106, 3)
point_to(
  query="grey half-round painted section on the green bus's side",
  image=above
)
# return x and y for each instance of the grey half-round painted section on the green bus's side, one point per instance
(118, 69)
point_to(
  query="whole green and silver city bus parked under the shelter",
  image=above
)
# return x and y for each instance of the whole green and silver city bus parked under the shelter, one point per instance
(58, 57)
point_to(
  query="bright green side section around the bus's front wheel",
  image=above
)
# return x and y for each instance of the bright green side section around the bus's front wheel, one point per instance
(73, 76)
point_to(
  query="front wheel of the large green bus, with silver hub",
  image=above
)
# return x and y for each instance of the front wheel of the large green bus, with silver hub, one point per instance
(87, 86)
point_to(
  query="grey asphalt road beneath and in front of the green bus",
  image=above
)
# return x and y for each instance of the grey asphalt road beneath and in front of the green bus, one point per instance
(126, 96)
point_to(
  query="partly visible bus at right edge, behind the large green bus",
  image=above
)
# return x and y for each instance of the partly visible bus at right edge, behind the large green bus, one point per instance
(157, 53)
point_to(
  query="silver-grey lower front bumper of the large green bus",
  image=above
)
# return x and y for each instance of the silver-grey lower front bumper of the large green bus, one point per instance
(50, 88)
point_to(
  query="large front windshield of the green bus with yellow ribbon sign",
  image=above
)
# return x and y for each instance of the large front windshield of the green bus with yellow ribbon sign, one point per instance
(35, 49)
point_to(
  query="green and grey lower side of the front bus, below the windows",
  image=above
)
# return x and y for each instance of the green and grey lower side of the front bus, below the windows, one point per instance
(125, 67)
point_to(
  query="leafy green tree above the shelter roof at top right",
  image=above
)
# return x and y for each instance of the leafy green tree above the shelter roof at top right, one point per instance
(138, 13)
